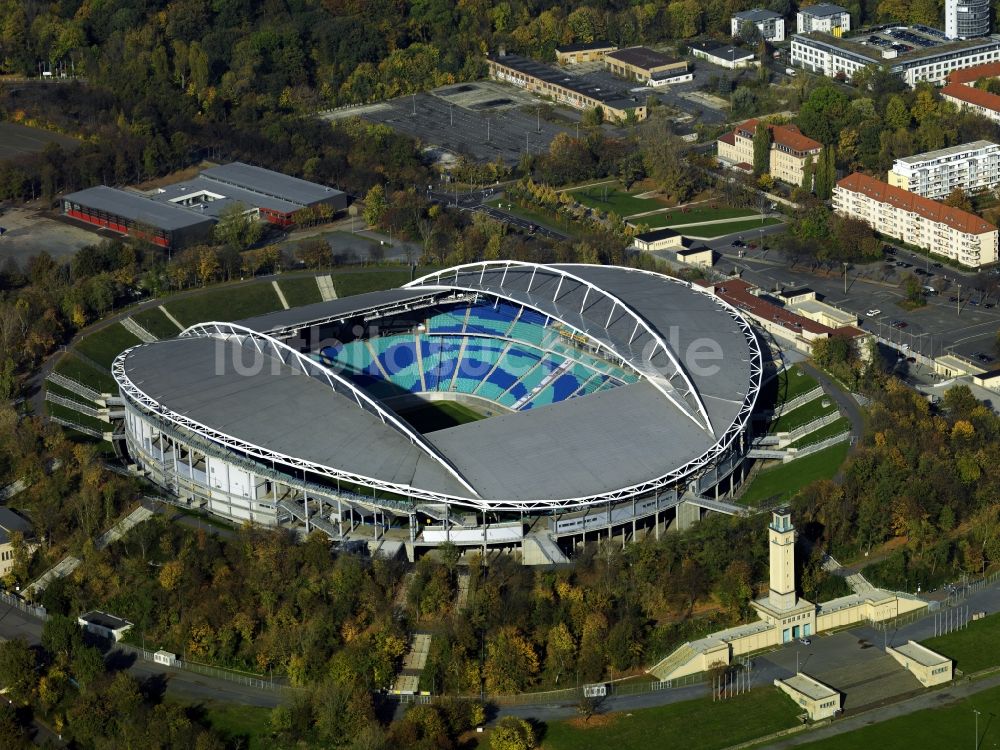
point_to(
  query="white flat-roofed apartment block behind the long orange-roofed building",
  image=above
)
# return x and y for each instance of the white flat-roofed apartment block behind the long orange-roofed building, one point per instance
(971, 166)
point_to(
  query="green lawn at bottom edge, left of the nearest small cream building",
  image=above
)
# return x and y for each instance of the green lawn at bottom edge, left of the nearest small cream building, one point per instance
(694, 725)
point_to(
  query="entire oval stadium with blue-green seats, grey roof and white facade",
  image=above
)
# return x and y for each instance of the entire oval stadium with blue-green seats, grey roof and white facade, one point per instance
(496, 404)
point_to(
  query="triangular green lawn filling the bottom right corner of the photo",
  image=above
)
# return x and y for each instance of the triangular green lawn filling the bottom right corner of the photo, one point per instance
(945, 728)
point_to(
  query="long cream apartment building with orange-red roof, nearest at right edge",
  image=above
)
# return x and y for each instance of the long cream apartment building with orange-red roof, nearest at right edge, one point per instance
(919, 221)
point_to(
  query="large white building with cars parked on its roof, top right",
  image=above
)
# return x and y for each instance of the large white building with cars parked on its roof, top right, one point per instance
(917, 53)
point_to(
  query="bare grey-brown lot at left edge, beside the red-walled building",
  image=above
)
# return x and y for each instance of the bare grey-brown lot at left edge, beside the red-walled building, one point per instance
(29, 232)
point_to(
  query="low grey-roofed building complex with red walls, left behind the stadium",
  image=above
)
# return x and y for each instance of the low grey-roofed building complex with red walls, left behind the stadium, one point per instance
(184, 213)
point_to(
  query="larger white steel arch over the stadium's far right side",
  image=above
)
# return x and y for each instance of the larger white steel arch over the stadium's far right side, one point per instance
(688, 394)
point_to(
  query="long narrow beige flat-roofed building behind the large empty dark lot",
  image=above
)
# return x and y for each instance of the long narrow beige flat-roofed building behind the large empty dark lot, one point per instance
(565, 89)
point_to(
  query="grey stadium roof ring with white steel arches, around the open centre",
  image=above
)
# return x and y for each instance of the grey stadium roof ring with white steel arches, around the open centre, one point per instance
(569, 454)
